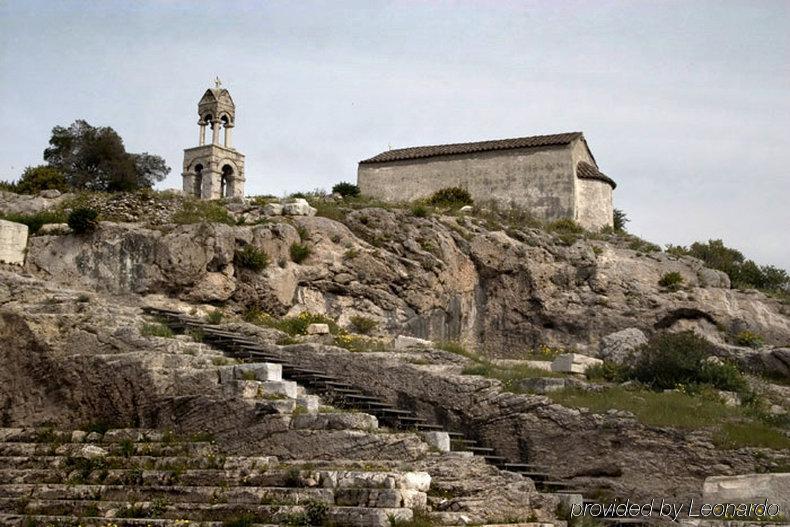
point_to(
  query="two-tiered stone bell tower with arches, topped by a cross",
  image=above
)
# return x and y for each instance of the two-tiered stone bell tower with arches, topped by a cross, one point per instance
(214, 170)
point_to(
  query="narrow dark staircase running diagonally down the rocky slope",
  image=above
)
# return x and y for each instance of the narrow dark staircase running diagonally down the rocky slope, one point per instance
(343, 394)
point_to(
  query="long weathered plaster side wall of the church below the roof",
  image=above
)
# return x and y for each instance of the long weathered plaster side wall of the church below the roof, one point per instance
(540, 179)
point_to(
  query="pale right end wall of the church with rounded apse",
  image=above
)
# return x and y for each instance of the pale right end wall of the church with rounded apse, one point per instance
(593, 198)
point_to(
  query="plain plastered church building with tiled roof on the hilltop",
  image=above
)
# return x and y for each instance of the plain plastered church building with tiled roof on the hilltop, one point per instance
(552, 176)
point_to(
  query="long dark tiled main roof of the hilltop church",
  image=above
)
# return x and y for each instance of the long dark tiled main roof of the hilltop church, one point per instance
(468, 148)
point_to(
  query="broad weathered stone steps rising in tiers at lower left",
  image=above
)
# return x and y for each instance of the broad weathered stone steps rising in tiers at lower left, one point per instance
(146, 477)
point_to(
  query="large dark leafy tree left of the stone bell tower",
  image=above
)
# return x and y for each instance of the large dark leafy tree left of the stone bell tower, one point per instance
(94, 158)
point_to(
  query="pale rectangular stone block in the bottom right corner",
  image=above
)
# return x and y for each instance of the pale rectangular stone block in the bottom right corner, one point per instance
(748, 488)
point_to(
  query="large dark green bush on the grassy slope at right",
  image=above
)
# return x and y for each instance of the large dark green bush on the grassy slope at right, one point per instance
(670, 360)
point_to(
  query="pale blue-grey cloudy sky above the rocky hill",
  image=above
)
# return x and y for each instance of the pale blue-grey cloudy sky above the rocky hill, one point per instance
(686, 104)
